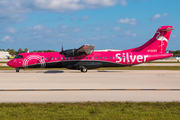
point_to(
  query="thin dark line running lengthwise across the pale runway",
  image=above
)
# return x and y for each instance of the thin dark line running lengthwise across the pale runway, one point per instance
(89, 89)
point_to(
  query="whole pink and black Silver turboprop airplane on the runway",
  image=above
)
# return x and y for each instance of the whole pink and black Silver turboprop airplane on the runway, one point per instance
(85, 57)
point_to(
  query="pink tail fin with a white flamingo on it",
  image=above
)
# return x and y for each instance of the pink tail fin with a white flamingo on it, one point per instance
(158, 43)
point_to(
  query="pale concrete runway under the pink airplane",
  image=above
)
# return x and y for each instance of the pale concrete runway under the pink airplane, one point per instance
(74, 86)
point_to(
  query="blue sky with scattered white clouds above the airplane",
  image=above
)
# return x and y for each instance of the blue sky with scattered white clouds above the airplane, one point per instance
(107, 24)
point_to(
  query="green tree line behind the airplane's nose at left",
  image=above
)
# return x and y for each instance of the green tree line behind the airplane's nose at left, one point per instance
(20, 50)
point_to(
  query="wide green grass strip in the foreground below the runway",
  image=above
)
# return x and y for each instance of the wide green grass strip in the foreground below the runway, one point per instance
(90, 111)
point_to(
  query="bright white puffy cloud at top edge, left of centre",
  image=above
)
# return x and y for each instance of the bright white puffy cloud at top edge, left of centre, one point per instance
(65, 5)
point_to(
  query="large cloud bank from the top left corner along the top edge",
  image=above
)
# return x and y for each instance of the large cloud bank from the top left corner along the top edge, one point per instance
(17, 10)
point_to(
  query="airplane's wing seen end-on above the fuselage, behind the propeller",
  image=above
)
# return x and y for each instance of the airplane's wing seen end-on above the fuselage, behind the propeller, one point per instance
(87, 49)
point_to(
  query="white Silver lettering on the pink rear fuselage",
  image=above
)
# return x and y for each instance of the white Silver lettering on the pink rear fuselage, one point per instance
(129, 58)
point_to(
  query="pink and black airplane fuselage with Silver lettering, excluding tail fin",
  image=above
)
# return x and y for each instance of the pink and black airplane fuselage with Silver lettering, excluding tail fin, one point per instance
(94, 60)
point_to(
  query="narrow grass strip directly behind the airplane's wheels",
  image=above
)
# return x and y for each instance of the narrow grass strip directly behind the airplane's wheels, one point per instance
(109, 68)
